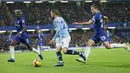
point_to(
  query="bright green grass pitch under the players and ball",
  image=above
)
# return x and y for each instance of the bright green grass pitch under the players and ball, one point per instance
(99, 61)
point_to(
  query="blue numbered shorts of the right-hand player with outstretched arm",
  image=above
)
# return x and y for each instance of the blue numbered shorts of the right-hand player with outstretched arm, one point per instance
(102, 37)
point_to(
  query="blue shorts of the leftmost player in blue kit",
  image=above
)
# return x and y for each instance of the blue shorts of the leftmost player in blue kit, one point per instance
(23, 39)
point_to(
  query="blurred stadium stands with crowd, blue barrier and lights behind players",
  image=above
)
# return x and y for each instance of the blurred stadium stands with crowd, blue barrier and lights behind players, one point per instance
(37, 14)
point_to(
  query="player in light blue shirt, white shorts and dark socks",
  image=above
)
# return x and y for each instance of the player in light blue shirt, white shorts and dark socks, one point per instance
(63, 38)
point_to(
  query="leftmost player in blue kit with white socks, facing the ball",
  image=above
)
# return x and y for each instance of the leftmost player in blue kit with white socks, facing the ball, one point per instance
(21, 36)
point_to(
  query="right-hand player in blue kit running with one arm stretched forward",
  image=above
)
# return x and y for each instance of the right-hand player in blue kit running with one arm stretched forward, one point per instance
(100, 33)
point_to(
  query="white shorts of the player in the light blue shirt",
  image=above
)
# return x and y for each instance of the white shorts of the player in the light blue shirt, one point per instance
(63, 42)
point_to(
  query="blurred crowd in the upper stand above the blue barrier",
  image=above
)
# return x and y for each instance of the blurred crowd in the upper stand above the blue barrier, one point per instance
(72, 11)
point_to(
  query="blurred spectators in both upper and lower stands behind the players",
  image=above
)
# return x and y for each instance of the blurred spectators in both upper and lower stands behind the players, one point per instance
(72, 11)
